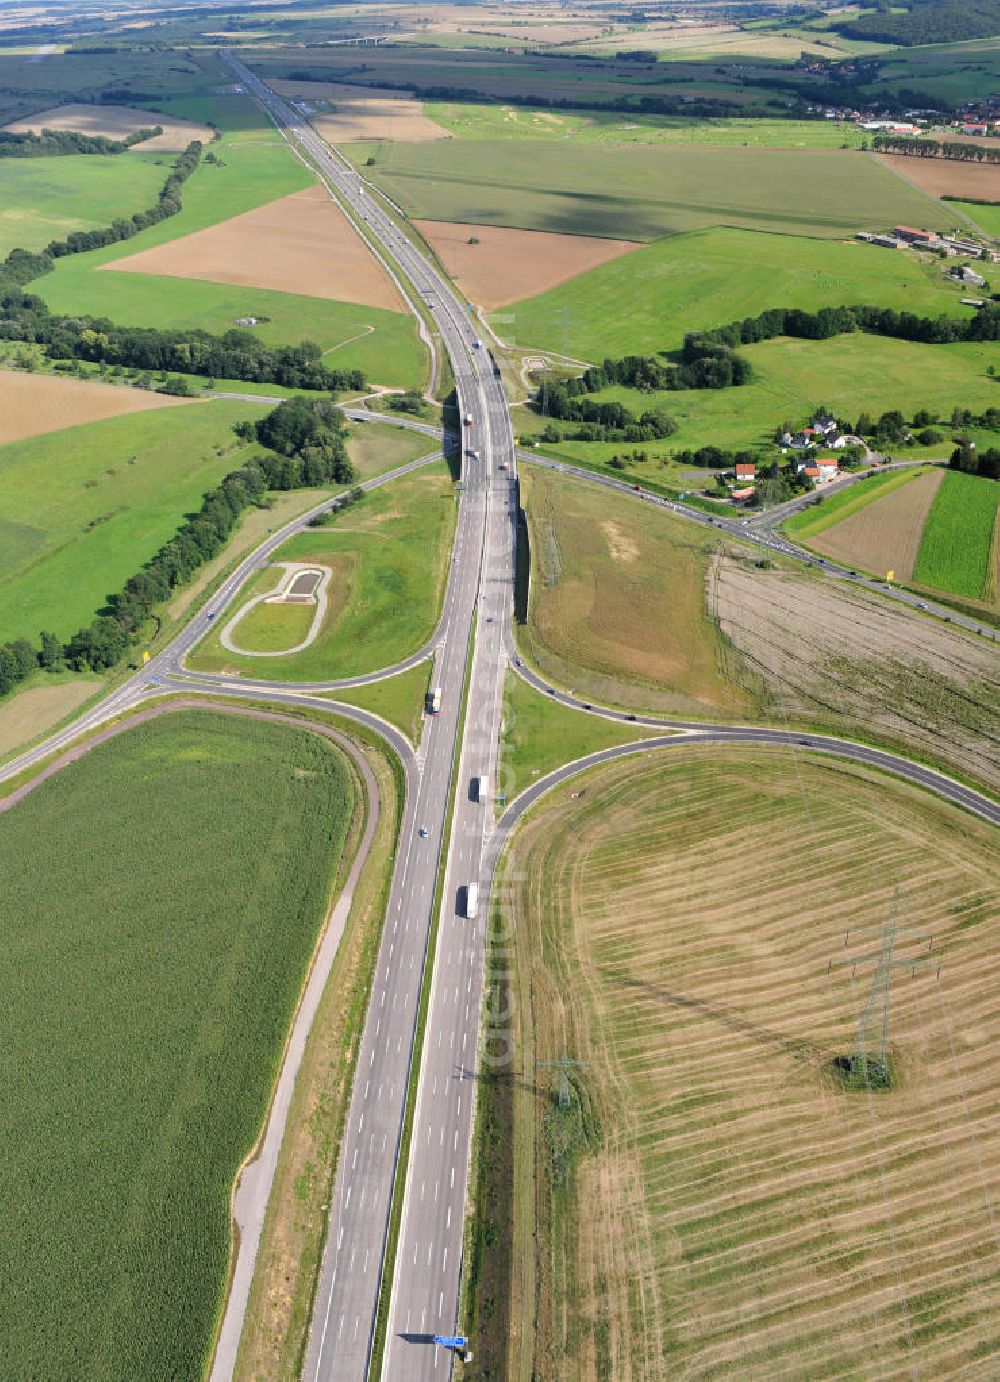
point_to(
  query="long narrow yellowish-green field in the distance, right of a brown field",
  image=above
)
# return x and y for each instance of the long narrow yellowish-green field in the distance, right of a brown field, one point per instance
(516, 122)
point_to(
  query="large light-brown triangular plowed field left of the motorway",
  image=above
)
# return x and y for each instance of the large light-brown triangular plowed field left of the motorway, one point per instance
(300, 244)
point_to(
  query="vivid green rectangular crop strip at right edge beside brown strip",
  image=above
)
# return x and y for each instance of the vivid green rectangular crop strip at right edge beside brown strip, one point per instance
(958, 549)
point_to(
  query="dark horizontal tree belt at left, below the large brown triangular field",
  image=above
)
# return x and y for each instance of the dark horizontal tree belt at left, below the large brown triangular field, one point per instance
(235, 354)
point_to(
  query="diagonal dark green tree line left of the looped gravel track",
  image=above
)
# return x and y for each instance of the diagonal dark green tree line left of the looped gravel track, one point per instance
(306, 440)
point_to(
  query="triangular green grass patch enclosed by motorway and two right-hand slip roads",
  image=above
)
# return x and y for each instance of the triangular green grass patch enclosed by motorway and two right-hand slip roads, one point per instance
(541, 735)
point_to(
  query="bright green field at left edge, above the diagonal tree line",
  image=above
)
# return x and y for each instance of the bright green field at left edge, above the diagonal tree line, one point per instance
(85, 508)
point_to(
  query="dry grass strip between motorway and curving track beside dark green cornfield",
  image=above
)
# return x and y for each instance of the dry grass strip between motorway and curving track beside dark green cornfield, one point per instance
(280, 1311)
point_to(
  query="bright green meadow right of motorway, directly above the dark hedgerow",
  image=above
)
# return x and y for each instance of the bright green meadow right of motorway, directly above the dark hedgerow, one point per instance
(648, 301)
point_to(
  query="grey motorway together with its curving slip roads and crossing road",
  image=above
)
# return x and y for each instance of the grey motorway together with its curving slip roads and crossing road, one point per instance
(448, 841)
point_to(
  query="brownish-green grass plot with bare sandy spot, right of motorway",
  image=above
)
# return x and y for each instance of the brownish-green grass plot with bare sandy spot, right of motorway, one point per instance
(618, 603)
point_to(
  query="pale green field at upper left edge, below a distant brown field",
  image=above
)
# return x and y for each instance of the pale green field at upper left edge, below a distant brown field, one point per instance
(45, 200)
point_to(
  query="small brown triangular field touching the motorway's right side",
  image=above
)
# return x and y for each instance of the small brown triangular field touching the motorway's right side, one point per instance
(508, 265)
